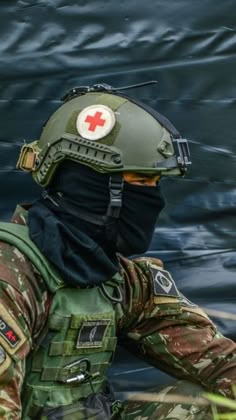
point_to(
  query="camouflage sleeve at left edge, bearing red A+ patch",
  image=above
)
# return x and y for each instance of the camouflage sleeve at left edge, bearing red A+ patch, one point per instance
(23, 308)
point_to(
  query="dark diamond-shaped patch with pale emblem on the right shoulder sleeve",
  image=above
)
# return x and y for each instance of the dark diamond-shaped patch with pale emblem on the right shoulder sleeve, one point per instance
(163, 284)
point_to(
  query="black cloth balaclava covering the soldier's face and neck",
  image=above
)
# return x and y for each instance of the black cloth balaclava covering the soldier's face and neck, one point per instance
(68, 224)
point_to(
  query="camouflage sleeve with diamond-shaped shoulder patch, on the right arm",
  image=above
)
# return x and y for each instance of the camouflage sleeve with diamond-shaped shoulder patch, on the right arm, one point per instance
(172, 333)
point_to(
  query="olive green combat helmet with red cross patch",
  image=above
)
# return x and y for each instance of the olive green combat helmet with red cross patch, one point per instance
(109, 132)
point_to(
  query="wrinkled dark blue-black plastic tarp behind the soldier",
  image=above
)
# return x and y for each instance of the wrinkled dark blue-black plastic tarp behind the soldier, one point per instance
(49, 46)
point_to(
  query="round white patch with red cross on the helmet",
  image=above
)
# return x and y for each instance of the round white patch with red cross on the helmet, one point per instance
(95, 122)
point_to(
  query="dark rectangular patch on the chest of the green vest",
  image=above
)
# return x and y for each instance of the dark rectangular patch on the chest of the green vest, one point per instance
(91, 333)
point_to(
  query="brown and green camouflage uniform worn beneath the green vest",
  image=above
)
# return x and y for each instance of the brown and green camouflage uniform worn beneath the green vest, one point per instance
(168, 332)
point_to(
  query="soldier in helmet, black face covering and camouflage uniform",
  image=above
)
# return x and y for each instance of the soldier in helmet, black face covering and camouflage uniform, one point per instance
(68, 290)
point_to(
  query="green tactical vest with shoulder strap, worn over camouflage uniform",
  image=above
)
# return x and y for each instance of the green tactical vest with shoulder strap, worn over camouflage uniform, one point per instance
(71, 361)
